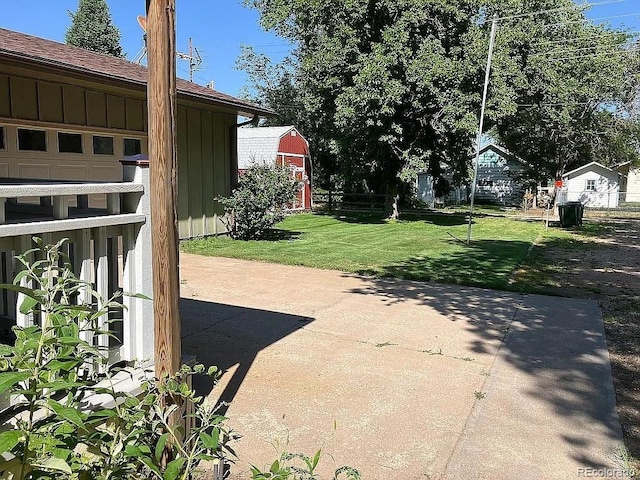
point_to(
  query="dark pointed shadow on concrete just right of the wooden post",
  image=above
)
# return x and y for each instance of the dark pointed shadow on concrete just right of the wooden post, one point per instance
(230, 337)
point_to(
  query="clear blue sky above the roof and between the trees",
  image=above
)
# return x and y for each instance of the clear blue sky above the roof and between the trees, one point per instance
(218, 28)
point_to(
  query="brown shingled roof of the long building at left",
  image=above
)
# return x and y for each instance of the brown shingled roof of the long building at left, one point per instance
(38, 51)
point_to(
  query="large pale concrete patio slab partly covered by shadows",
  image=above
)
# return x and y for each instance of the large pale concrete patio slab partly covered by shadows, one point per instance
(403, 380)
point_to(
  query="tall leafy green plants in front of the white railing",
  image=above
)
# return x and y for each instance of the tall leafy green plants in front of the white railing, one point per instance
(58, 432)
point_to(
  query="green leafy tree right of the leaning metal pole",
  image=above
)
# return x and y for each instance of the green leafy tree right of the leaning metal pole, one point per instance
(563, 91)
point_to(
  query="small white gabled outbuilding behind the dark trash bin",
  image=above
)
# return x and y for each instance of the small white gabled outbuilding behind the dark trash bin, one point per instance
(593, 184)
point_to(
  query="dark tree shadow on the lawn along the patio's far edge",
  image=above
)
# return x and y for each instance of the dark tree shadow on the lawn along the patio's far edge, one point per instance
(486, 263)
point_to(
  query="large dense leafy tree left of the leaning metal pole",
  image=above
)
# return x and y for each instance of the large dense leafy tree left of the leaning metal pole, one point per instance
(385, 84)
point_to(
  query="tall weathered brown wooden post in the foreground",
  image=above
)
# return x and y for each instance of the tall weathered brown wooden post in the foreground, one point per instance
(161, 97)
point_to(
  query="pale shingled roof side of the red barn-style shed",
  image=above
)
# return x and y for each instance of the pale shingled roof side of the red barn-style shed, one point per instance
(259, 144)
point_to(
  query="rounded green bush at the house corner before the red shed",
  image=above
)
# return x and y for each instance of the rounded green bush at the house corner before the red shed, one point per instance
(259, 201)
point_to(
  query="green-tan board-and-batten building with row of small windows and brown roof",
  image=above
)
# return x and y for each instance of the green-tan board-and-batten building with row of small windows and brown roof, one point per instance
(71, 114)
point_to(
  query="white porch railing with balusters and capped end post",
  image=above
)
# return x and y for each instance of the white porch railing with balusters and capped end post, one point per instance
(109, 248)
